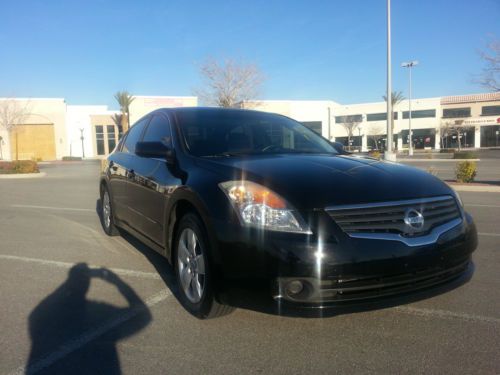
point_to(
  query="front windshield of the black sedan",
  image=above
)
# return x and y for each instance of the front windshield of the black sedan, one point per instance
(234, 133)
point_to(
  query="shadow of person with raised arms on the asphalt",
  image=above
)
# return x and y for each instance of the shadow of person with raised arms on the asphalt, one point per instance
(72, 334)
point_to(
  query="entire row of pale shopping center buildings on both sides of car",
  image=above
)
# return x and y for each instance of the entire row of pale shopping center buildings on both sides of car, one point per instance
(51, 128)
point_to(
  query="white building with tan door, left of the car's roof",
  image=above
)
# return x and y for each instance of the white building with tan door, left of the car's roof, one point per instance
(49, 129)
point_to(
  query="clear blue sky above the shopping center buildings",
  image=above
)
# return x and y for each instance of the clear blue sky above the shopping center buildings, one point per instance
(86, 50)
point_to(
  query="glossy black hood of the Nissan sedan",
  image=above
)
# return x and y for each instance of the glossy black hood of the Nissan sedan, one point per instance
(317, 181)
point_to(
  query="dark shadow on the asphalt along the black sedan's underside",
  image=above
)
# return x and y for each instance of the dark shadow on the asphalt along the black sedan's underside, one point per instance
(266, 305)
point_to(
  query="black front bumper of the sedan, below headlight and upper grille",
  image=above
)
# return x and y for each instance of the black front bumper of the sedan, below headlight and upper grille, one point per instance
(333, 268)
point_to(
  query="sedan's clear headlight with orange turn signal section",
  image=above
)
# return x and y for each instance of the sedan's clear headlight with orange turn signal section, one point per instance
(260, 207)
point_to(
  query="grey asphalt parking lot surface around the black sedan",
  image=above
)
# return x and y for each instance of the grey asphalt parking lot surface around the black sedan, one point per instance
(128, 321)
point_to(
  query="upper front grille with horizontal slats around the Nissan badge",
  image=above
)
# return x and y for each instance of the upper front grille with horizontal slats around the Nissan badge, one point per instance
(389, 217)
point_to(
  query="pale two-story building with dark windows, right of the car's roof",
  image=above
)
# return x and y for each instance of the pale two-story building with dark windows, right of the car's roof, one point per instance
(476, 119)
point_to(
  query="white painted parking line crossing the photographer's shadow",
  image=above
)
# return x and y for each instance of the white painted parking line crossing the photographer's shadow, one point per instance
(80, 341)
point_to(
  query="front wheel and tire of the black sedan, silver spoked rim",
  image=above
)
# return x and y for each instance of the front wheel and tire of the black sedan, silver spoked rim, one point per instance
(193, 271)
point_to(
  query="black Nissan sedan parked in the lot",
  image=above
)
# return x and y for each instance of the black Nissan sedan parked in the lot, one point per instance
(248, 205)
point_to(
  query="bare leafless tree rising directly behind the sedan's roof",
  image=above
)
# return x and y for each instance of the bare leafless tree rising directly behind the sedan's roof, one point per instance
(229, 82)
